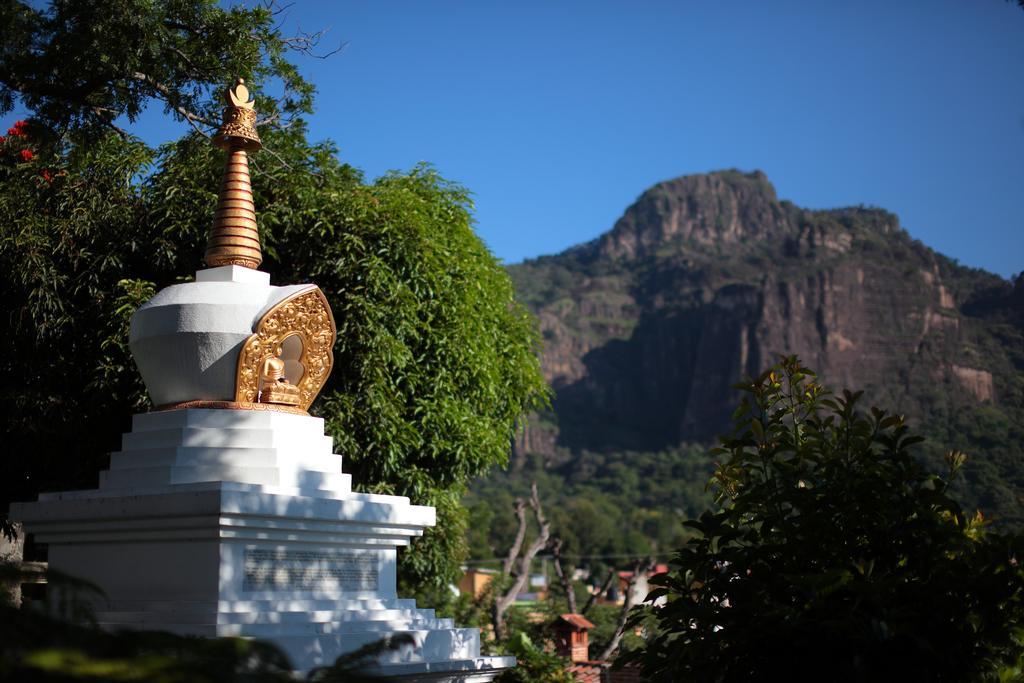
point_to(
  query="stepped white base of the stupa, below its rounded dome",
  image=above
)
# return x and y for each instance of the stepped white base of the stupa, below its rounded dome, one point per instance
(219, 523)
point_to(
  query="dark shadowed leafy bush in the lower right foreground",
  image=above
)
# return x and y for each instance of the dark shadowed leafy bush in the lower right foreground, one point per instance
(834, 556)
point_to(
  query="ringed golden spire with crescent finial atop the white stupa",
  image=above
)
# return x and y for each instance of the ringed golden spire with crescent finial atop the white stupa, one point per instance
(234, 239)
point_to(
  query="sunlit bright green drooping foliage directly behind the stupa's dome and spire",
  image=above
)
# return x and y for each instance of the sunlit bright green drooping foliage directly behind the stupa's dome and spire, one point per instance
(435, 361)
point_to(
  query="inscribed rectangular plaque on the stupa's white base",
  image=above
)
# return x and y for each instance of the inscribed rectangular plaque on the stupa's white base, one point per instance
(313, 570)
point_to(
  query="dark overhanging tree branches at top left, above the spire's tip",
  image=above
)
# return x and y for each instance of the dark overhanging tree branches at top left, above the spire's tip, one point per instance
(63, 66)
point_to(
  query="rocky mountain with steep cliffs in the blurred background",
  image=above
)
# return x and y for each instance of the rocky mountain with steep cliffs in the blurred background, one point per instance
(708, 278)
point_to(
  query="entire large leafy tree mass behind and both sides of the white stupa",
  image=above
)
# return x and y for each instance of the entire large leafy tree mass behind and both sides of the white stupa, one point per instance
(435, 362)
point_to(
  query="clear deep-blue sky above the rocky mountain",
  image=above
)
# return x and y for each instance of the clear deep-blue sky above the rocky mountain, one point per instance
(558, 115)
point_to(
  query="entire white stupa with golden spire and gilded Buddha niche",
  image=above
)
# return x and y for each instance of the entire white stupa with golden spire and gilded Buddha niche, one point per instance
(226, 514)
